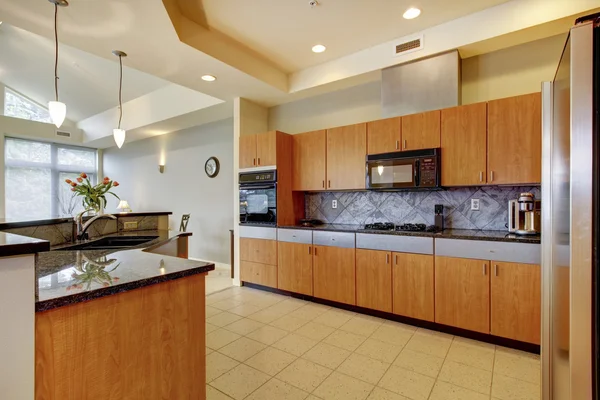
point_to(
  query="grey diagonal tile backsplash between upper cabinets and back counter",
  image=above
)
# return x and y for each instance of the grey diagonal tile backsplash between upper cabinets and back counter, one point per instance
(418, 207)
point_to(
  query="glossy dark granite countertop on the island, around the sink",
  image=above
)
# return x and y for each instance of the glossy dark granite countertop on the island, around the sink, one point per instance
(65, 277)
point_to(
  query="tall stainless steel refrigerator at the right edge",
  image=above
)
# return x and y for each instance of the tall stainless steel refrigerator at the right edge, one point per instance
(570, 218)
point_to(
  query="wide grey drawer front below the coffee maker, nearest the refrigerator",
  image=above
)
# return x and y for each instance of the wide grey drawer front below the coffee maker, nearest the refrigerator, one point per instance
(525, 253)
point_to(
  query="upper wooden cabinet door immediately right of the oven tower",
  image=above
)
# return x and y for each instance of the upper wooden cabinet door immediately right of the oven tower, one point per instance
(309, 160)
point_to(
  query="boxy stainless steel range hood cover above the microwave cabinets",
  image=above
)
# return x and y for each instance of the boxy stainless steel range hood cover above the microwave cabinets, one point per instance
(428, 84)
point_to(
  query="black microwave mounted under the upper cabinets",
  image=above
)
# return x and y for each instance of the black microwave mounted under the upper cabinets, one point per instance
(415, 169)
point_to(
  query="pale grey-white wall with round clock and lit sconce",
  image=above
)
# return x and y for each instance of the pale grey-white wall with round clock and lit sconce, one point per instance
(183, 187)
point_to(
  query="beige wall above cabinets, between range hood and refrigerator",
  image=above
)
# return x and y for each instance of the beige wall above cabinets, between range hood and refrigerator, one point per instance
(512, 71)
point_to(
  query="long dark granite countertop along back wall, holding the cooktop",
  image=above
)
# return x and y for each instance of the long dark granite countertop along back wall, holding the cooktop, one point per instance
(469, 234)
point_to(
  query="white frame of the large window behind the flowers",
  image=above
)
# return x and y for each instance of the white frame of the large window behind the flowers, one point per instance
(55, 168)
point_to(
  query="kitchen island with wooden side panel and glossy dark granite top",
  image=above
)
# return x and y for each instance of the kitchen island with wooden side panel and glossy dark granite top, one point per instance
(121, 324)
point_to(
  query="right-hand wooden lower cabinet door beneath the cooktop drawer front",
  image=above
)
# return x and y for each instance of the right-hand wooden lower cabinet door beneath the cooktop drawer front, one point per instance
(412, 277)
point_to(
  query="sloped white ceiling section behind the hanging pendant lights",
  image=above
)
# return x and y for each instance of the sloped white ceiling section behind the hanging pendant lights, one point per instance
(88, 84)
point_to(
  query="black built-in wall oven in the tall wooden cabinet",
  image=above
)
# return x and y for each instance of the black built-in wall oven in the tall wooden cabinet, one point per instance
(258, 198)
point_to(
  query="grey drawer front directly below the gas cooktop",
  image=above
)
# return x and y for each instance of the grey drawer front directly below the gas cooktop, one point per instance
(400, 244)
